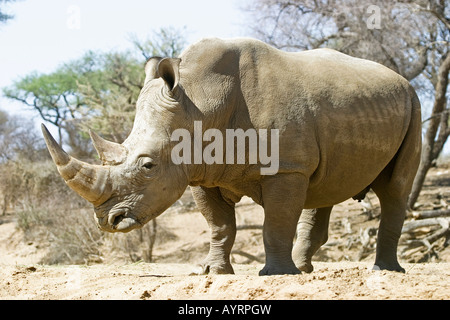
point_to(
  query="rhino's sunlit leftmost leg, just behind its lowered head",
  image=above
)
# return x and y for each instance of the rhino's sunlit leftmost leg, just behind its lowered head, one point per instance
(221, 219)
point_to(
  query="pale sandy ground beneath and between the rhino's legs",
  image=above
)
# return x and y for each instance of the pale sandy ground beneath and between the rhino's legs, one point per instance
(335, 276)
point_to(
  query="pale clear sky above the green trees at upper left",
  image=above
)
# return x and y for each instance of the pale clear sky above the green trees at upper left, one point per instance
(46, 33)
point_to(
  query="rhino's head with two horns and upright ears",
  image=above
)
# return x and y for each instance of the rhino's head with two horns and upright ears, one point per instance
(136, 181)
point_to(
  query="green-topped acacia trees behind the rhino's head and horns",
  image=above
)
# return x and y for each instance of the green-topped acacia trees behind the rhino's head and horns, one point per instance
(97, 91)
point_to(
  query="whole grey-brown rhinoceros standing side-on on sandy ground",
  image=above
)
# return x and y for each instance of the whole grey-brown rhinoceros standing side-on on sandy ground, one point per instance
(345, 126)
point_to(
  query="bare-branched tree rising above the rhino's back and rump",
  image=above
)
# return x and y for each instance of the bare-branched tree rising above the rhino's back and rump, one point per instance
(410, 37)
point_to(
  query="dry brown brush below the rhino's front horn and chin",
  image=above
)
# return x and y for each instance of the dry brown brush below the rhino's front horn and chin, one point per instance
(51, 214)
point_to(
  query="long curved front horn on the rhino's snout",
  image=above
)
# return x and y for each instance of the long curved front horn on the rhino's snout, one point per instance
(91, 182)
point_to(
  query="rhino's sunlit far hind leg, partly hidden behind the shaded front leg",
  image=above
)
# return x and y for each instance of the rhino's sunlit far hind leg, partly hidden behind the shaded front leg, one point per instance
(312, 233)
